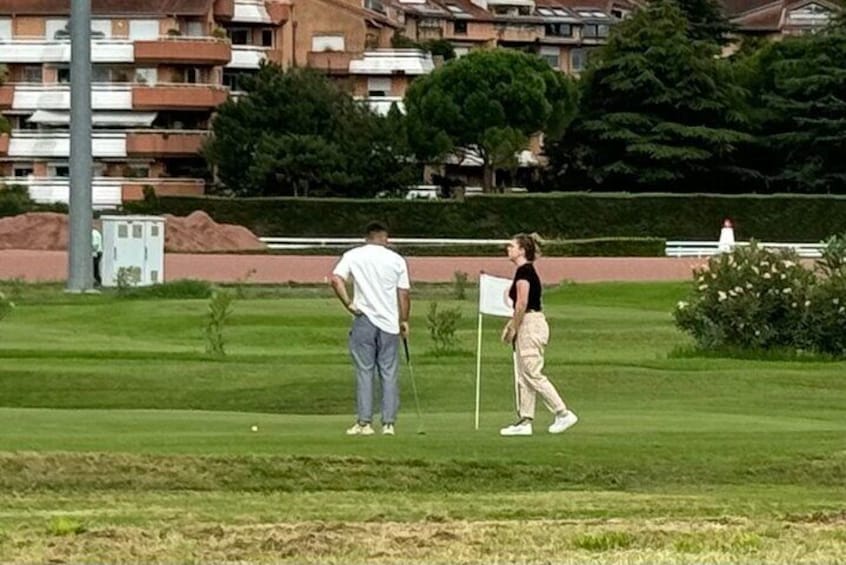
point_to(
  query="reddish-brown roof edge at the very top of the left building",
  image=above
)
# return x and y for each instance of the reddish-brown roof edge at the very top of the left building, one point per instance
(109, 7)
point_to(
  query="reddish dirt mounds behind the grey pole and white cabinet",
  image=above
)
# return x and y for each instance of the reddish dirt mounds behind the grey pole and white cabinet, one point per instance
(195, 233)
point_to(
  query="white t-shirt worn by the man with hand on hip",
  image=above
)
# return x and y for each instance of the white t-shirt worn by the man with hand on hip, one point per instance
(377, 273)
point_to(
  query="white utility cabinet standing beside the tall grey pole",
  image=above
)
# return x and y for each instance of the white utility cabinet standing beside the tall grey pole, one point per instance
(133, 248)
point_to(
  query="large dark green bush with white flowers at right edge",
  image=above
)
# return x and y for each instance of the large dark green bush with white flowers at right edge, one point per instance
(755, 298)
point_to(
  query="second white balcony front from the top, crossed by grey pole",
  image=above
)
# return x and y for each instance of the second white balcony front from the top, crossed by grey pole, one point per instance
(32, 97)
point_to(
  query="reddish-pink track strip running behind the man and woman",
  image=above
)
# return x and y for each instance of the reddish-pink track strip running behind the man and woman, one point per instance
(52, 266)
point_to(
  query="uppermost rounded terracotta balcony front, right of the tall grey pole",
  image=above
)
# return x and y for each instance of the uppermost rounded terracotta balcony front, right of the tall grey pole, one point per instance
(184, 50)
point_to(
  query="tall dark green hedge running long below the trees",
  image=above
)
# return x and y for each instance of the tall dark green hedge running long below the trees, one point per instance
(563, 215)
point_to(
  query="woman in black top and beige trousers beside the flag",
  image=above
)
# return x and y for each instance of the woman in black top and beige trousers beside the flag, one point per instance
(528, 333)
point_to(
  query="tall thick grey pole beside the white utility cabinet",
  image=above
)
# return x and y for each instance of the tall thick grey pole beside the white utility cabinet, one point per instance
(80, 266)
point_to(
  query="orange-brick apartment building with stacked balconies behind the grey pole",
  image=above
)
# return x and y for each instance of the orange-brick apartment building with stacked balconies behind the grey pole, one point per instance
(159, 69)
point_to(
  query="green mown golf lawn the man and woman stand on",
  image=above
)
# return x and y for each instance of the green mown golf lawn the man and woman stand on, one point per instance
(121, 440)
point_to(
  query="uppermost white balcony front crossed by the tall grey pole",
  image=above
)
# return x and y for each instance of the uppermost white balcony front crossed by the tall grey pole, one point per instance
(16, 51)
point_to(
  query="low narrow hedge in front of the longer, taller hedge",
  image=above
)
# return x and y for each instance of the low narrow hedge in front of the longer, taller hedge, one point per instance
(599, 247)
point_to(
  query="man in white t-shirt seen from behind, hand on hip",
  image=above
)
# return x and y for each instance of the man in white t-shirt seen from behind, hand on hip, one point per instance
(380, 308)
